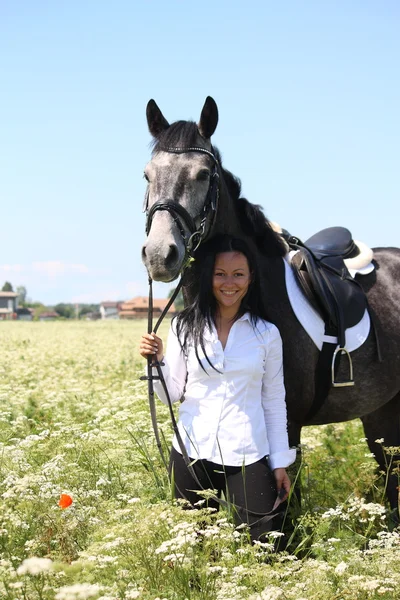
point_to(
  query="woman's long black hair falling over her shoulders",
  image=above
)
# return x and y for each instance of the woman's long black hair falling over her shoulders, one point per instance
(192, 321)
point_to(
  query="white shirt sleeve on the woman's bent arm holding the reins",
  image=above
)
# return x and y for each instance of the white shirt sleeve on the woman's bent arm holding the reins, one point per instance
(174, 369)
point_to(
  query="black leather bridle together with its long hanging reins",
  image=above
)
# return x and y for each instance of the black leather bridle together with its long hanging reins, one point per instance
(196, 236)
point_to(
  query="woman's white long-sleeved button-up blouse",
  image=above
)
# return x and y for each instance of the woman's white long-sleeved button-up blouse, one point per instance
(237, 414)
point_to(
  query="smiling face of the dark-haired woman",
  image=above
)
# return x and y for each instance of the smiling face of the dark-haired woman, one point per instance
(231, 280)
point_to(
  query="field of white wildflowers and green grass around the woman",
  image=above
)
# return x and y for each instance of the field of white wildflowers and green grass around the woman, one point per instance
(86, 509)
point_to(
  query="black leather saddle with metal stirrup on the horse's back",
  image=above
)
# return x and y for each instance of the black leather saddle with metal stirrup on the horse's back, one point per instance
(319, 267)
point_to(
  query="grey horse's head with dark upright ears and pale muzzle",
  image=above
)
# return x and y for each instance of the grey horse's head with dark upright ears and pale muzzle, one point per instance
(182, 175)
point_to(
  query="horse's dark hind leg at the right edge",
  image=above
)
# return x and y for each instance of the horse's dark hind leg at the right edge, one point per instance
(384, 423)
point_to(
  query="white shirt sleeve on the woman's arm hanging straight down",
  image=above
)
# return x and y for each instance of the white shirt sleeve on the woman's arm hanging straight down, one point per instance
(274, 405)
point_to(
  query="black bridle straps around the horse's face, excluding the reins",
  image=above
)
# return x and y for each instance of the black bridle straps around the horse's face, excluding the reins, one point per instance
(180, 215)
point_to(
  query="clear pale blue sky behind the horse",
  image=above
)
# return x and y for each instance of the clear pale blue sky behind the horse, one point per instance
(308, 96)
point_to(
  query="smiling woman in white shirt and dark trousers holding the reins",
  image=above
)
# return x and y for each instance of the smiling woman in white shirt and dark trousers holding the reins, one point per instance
(226, 360)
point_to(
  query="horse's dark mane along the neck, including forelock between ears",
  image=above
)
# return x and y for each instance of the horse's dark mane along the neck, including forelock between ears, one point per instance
(255, 225)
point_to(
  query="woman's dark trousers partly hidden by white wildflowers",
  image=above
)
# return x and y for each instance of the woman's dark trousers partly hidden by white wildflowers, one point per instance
(250, 490)
